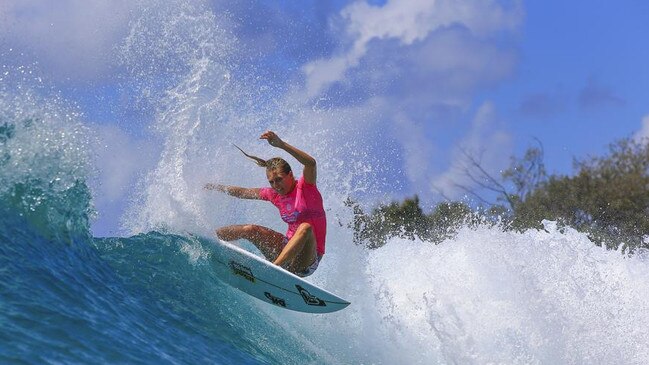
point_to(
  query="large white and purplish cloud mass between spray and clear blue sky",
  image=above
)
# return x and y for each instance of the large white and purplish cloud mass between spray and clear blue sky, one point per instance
(425, 60)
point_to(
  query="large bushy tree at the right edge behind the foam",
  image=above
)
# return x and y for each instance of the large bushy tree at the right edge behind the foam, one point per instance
(607, 197)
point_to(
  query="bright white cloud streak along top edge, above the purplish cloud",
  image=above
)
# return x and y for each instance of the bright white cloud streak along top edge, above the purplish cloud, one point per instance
(407, 22)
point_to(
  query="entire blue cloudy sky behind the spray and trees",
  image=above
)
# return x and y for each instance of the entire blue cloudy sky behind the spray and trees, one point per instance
(427, 77)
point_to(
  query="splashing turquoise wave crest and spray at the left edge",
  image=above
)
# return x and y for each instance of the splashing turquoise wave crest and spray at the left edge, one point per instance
(45, 157)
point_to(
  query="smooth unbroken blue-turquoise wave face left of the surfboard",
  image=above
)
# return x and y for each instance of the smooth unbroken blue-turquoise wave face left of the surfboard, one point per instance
(68, 298)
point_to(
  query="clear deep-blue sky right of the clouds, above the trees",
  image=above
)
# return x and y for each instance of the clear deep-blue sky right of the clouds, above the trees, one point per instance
(580, 82)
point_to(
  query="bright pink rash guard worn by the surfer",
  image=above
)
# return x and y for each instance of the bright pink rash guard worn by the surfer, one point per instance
(302, 204)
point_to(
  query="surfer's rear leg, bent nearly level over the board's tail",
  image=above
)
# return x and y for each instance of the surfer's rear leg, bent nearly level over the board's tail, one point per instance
(269, 242)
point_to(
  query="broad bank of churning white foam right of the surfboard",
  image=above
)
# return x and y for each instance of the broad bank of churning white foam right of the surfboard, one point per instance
(485, 296)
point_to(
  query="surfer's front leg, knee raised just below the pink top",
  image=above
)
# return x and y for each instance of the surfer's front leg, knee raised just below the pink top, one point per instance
(300, 250)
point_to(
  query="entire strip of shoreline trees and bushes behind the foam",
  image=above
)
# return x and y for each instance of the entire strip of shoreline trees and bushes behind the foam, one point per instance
(607, 197)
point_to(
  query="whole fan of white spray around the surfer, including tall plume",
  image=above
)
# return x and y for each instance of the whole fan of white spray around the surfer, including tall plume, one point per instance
(210, 100)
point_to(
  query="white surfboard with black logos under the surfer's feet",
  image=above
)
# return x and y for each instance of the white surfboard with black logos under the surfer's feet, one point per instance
(270, 283)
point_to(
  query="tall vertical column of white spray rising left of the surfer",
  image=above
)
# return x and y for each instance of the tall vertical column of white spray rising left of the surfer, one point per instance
(182, 44)
